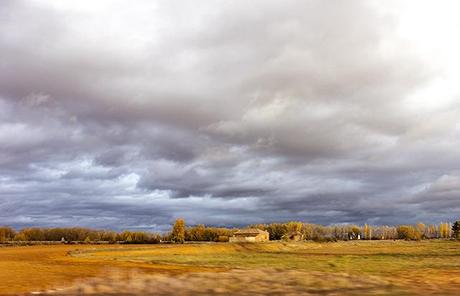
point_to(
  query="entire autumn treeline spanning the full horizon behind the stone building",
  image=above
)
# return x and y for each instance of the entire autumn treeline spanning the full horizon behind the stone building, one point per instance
(200, 233)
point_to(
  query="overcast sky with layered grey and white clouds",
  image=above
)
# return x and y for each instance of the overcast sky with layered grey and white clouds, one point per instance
(130, 114)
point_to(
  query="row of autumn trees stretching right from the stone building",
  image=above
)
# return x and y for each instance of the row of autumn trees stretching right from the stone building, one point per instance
(317, 232)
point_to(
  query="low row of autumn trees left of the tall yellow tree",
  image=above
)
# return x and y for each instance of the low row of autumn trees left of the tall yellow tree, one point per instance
(77, 234)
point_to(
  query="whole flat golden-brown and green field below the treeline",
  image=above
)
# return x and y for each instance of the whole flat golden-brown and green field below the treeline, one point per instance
(354, 268)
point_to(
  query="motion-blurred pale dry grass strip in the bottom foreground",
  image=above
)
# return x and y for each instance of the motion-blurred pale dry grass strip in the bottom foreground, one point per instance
(232, 282)
